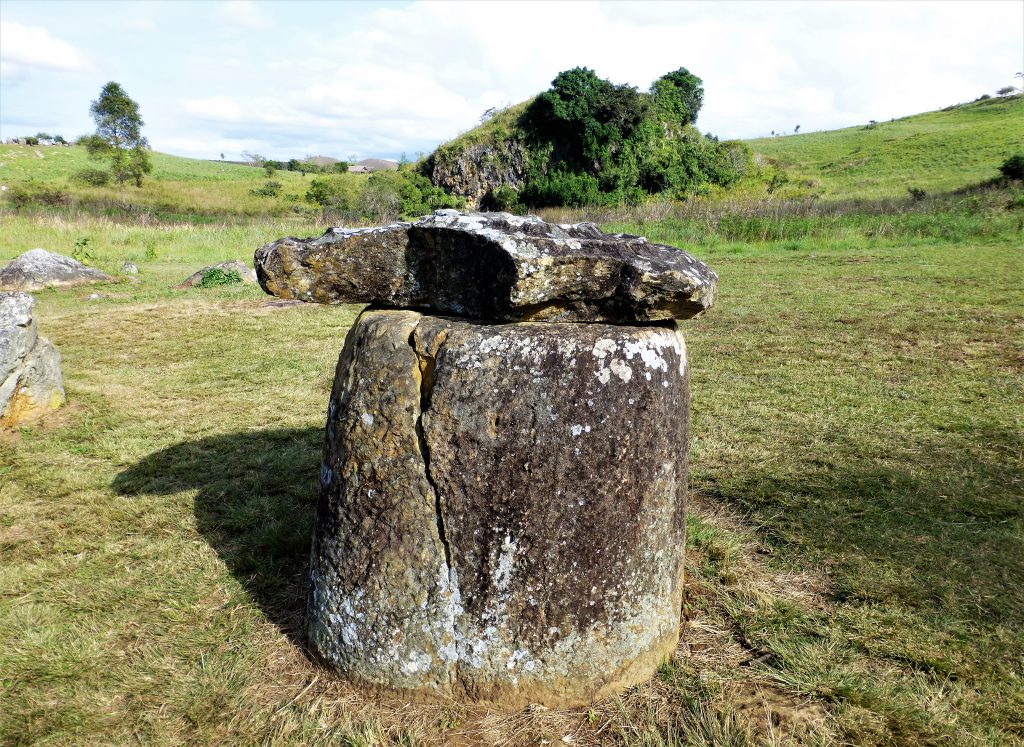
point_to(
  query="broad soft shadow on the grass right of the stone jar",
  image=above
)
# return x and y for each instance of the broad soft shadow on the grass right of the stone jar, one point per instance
(942, 532)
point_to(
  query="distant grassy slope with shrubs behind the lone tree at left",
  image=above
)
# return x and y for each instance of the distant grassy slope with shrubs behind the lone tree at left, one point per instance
(65, 180)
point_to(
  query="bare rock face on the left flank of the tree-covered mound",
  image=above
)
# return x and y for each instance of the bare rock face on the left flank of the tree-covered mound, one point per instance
(476, 172)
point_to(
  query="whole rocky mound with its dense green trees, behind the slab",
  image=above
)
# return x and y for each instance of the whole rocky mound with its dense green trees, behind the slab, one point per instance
(589, 142)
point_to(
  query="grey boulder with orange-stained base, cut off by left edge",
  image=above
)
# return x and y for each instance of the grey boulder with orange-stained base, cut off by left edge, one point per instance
(30, 366)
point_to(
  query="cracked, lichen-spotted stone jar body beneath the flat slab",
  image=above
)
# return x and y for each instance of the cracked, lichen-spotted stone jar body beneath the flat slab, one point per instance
(502, 509)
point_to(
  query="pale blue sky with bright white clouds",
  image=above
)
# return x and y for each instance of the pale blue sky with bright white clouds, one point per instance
(380, 79)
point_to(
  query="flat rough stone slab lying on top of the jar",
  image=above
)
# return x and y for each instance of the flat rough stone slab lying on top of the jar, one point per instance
(493, 267)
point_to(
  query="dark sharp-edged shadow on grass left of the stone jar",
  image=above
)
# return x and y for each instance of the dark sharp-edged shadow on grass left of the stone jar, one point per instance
(257, 504)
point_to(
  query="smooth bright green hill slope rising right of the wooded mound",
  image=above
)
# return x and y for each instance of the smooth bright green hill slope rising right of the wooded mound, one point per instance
(936, 151)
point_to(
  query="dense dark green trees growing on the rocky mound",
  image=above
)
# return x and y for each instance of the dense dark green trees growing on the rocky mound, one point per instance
(591, 142)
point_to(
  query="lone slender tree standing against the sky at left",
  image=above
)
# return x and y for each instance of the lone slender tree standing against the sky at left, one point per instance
(119, 136)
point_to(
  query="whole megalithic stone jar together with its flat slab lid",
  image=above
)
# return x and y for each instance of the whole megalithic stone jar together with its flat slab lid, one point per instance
(502, 515)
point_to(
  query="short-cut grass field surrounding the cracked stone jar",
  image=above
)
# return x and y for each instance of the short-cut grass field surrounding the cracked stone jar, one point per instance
(857, 537)
